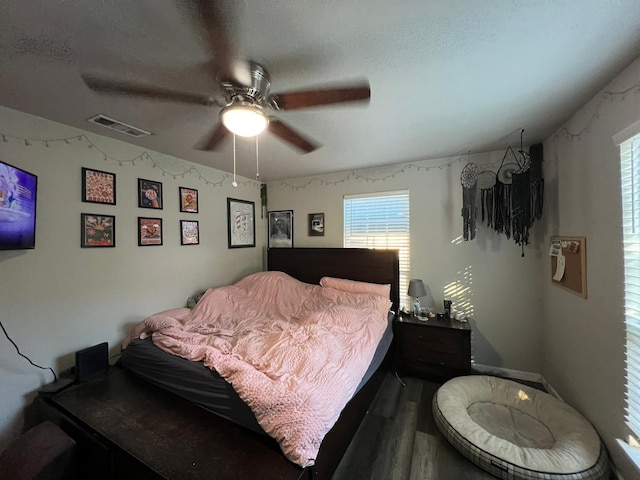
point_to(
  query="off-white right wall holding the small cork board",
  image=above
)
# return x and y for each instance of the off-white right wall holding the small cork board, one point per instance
(583, 339)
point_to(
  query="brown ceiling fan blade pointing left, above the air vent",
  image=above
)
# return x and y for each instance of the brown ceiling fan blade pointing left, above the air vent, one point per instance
(103, 85)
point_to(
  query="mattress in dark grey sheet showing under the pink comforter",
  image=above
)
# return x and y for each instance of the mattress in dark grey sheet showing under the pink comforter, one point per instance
(205, 387)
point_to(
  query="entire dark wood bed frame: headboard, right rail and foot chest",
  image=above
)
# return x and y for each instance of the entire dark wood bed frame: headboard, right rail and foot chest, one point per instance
(126, 427)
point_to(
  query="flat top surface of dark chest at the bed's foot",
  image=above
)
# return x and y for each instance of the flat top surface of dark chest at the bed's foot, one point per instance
(172, 436)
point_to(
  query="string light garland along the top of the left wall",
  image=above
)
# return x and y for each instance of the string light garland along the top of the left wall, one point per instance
(85, 141)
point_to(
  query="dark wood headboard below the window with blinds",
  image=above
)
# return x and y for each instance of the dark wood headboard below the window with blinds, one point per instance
(309, 265)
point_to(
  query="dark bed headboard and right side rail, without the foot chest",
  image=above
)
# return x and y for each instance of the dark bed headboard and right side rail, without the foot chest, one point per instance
(374, 266)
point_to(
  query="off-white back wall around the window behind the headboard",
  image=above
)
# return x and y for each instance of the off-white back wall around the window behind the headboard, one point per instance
(502, 287)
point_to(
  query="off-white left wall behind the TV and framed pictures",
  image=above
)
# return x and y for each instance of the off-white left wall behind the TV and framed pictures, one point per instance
(59, 298)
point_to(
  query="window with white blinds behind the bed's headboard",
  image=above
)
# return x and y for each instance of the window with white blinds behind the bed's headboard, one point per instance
(380, 220)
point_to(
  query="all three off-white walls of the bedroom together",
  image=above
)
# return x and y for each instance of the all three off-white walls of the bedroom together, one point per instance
(59, 298)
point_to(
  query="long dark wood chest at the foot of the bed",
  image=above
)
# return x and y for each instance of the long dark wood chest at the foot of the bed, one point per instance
(126, 428)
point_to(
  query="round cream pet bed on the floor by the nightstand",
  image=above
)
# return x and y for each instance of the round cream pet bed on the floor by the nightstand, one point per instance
(517, 432)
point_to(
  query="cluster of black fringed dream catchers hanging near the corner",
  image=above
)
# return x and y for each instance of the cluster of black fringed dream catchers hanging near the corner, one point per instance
(510, 199)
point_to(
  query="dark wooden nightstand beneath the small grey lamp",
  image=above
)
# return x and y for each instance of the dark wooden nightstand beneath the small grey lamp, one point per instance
(439, 348)
